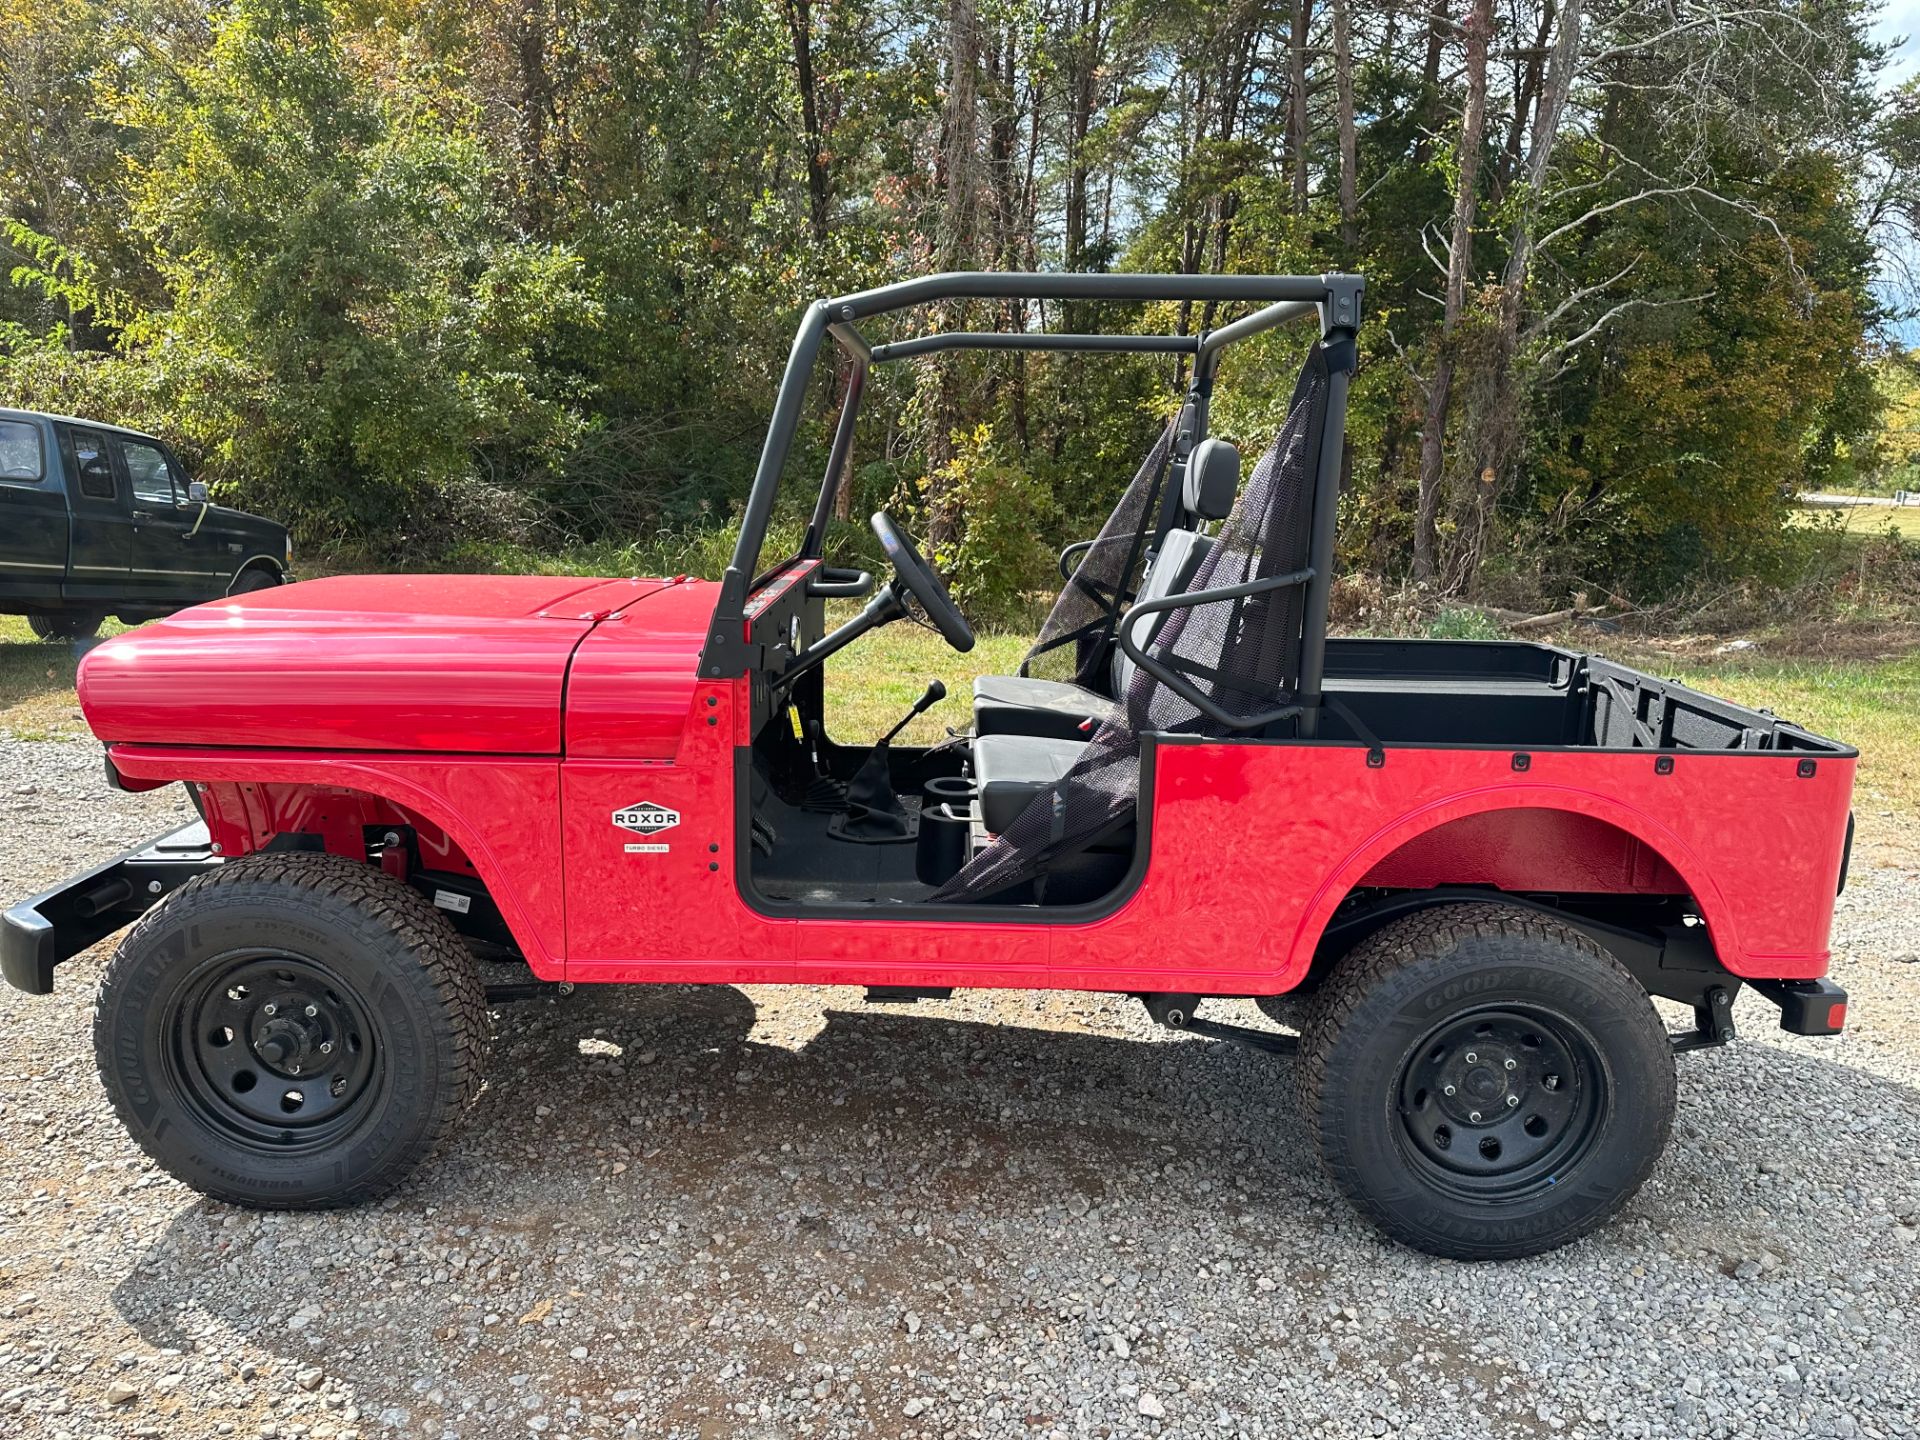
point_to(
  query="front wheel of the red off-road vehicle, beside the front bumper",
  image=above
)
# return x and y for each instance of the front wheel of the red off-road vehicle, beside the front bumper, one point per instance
(291, 1032)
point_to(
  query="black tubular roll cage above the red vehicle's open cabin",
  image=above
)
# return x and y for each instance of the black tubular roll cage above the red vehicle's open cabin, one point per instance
(1282, 299)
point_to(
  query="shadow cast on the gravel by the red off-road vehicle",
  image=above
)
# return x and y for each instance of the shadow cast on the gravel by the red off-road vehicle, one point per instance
(663, 1191)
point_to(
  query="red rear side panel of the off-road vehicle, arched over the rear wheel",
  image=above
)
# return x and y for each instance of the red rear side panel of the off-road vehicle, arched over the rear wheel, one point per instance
(1255, 848)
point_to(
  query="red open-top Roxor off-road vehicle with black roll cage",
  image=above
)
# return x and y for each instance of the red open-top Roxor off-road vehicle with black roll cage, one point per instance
(1476, 861)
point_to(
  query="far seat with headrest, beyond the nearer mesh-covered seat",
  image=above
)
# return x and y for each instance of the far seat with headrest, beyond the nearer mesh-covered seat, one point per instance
(1059, 709)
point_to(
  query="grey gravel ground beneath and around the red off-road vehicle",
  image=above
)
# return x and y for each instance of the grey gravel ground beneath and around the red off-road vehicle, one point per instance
(775, 1212)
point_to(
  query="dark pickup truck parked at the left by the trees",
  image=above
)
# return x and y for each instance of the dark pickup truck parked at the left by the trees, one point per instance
(103, 521)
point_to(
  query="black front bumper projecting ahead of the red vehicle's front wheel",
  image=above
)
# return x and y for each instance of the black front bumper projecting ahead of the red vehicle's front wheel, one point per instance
(84, 911)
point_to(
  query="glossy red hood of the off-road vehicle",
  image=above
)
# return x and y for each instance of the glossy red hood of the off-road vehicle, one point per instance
(368, 663)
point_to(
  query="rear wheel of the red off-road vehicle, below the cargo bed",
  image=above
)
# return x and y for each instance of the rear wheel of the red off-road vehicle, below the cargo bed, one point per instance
(1485, 1082)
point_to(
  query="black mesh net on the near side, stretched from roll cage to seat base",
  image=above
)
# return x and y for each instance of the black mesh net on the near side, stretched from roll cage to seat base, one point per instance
(1241, 654)
